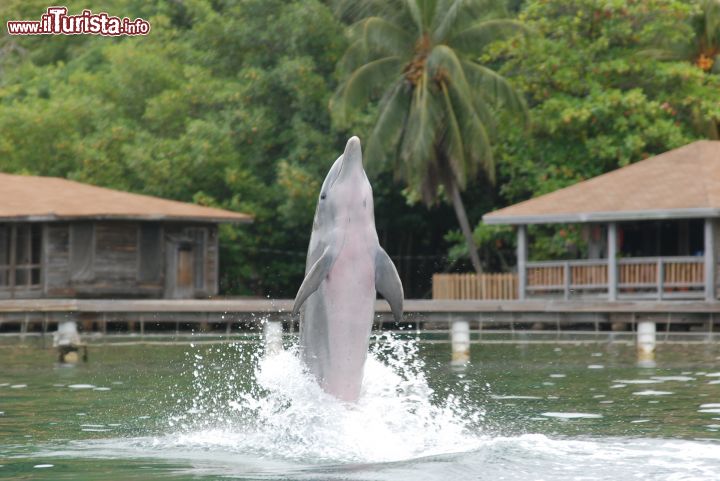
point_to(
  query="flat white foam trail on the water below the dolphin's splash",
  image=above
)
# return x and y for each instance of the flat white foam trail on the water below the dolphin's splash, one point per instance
(529, 456)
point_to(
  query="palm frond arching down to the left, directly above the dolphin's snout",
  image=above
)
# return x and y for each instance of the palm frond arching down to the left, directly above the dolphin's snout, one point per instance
(356, 90)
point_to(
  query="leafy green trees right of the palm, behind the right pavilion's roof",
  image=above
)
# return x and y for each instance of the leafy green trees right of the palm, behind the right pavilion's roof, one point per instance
(596, 103)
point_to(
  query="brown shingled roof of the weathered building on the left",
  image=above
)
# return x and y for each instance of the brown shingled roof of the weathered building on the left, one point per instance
(50, 198)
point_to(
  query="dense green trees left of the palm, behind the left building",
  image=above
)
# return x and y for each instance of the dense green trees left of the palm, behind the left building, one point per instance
(224, 103)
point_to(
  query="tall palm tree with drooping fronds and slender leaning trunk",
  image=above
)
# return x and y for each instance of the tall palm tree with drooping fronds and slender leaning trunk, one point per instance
(438, 104)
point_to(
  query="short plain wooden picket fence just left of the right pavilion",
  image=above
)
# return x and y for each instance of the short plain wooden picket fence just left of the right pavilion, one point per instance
(474, 286)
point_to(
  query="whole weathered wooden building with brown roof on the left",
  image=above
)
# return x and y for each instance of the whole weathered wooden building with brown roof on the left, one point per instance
(60, 238)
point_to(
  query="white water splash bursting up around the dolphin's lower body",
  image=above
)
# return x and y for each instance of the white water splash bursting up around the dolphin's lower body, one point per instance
(270, 406)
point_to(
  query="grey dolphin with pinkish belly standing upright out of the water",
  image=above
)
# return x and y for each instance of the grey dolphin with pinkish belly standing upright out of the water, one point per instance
(345, 265)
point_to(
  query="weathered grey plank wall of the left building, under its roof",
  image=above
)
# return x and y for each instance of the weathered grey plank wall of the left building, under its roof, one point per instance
(94, 259)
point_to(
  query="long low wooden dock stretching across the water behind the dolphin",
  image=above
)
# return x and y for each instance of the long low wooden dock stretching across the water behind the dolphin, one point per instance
(115, 315)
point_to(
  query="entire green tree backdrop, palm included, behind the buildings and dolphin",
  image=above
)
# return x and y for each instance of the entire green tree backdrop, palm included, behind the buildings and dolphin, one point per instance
(244, 104)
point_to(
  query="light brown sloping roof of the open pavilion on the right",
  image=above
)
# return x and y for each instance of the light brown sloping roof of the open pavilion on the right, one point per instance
(681, 183)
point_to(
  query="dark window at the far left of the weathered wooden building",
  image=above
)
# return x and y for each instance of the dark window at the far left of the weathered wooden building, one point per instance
(20, 256)
